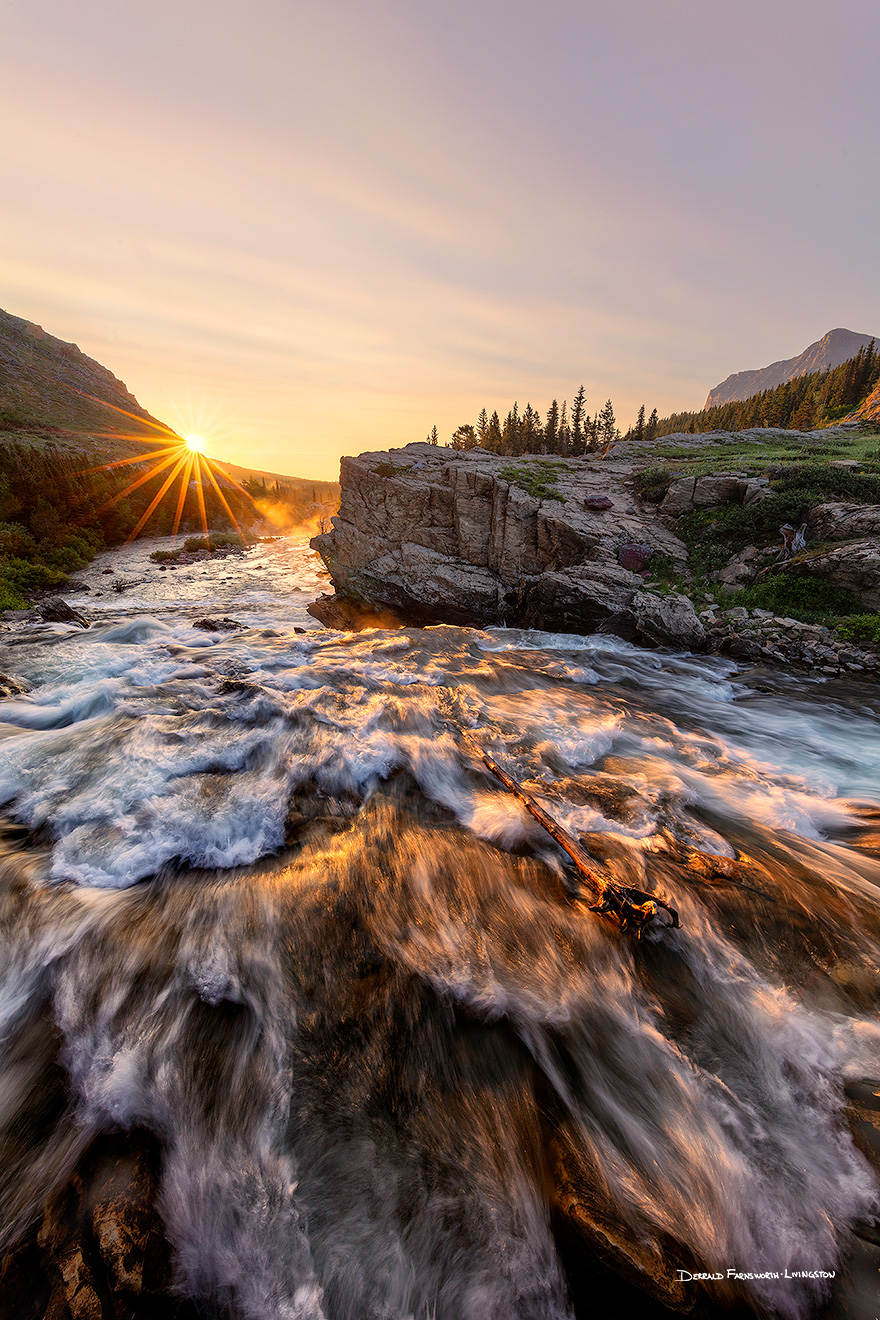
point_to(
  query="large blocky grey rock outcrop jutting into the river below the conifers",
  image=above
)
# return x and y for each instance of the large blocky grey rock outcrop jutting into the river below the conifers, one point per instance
(480, 541)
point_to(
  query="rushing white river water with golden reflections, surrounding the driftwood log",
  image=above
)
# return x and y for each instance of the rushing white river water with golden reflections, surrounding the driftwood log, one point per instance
(300, 1020)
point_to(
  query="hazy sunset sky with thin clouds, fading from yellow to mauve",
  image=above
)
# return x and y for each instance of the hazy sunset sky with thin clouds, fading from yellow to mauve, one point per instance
(305, 229)
